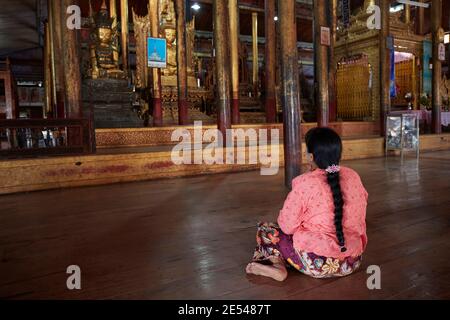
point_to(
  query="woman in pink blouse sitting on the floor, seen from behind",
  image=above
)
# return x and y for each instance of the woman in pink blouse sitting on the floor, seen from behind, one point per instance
(321, 229)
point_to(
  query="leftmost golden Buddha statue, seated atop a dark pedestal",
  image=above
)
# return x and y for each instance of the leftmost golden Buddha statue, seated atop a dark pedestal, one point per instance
(103, 47)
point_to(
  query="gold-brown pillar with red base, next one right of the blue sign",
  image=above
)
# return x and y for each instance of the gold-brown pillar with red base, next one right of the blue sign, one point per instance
(180, 11)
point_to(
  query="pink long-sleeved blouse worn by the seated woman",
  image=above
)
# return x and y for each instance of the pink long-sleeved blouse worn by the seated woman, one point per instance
(308, 214)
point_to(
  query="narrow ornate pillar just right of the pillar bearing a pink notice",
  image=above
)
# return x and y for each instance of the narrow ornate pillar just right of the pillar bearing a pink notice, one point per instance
(332, 61)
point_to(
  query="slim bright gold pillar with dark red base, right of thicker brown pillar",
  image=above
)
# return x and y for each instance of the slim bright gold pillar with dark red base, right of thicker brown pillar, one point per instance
(234, 57)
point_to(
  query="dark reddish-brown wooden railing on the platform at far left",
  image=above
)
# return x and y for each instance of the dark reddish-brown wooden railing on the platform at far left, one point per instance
(40, 137)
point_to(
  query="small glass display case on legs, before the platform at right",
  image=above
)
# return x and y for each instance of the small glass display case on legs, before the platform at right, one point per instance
(402, 133)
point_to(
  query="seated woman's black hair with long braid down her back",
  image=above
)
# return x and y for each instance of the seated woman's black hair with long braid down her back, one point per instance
(326, 147)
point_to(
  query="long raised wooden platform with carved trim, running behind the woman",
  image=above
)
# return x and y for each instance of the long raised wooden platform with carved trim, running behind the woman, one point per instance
(125, 155)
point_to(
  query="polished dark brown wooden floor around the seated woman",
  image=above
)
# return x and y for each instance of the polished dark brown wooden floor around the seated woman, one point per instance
(191, 238)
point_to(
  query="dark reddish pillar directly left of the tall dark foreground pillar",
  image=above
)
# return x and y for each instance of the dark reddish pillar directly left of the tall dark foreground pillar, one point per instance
(270, 63)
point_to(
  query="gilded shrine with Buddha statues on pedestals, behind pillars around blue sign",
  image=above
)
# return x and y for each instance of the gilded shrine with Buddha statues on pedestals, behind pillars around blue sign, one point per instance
(127, 93)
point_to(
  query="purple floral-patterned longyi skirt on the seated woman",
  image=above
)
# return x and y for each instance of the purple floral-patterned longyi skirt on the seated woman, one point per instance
(273, 242)
